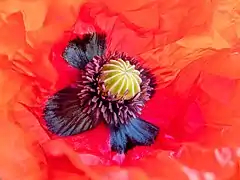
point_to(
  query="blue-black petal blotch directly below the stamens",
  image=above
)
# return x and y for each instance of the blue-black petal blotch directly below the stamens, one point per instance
(135, 132)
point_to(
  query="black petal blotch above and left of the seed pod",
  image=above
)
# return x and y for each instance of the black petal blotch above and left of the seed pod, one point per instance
(80, 51)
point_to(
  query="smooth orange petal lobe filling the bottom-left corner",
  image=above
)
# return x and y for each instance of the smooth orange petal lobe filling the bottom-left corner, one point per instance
(20, 157)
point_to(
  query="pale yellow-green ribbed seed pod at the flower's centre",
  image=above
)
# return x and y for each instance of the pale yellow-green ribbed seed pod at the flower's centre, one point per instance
(120, 79)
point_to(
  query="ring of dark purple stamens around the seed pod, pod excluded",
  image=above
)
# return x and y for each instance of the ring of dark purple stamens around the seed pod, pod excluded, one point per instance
(112, 111)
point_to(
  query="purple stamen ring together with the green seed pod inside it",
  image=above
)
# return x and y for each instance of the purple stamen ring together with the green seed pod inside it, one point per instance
(114, 105)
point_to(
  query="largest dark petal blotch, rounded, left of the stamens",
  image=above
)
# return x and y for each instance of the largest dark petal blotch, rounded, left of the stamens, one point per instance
(64, 116)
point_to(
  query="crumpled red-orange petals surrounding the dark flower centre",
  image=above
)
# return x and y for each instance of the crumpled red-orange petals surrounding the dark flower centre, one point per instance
(193, 47)
